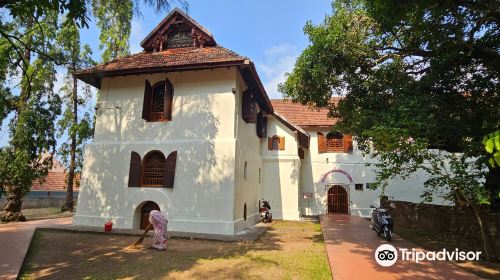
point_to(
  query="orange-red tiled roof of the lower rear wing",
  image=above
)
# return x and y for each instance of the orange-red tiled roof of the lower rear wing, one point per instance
(302, 115)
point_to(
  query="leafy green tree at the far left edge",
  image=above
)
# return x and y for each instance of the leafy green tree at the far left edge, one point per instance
(33, 107)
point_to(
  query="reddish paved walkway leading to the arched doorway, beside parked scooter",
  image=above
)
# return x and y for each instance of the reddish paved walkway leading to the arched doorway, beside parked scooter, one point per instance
(351, 244)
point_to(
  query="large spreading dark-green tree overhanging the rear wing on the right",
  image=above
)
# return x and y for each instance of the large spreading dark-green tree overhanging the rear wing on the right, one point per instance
(414, 75)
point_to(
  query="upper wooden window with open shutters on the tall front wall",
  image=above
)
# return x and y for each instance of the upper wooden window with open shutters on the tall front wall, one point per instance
(158, 101)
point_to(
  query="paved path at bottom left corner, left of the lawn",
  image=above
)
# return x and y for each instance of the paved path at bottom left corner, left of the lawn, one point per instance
(15, 239)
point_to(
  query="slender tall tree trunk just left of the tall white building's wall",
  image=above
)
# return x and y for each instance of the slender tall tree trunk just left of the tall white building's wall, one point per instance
(70, 203)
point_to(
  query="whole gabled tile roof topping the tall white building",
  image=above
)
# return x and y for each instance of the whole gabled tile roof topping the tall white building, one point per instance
(197, 51)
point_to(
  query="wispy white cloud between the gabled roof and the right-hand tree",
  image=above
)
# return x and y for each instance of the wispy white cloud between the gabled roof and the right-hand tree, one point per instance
(278, 60)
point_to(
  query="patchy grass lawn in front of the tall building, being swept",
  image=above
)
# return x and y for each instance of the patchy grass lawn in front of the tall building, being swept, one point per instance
(289, 250)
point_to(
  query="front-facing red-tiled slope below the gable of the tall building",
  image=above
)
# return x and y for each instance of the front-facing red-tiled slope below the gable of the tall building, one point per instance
(167, 58)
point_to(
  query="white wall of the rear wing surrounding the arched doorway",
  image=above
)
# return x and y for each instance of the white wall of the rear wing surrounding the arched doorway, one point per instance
(315, 166)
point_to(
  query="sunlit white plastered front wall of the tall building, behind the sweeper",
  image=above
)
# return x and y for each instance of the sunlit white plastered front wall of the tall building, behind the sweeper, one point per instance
(202, 131)
